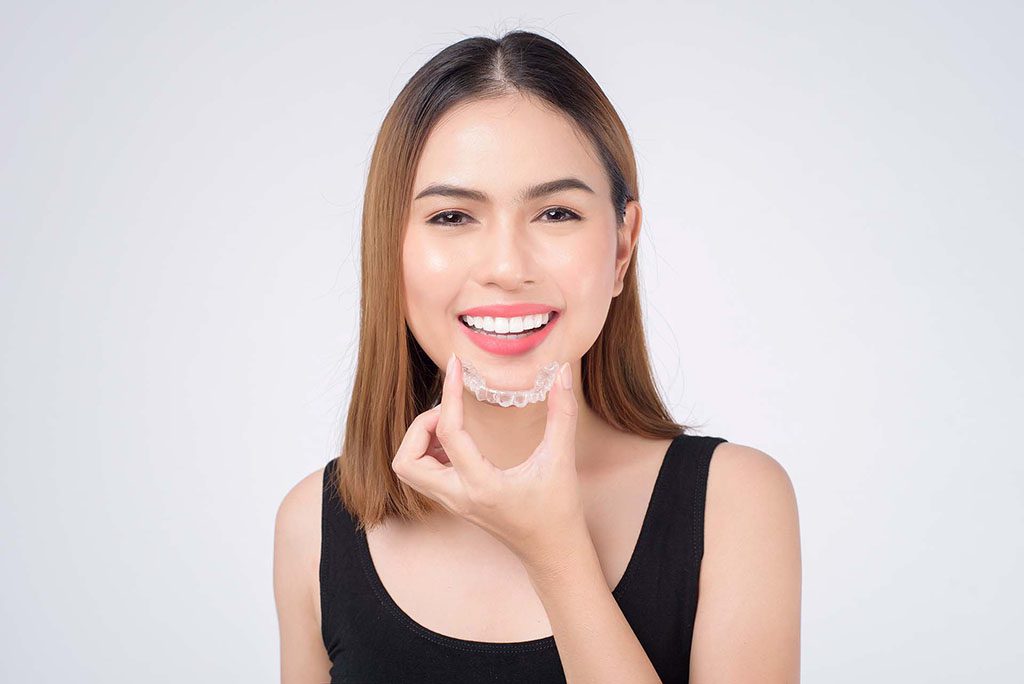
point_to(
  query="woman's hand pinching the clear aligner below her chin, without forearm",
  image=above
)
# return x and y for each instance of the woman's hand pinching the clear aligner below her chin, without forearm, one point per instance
(533, 508)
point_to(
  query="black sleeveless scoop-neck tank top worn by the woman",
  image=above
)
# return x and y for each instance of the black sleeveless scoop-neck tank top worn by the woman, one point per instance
(370, 639)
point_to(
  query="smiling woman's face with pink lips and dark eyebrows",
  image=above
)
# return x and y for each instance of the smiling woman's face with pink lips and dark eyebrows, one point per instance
(486, 241)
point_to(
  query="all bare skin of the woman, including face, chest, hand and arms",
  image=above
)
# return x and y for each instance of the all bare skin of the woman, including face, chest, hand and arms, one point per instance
(748, 623)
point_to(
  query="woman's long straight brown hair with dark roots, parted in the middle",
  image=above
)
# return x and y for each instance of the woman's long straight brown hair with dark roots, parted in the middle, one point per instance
(396, 380)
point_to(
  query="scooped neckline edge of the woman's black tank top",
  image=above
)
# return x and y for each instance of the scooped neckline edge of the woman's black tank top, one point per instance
(513, 647)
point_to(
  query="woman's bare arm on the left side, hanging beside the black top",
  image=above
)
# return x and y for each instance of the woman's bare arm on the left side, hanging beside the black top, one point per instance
(296, 568)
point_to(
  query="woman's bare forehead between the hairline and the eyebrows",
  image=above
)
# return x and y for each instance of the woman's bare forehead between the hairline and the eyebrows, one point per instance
(502, 145)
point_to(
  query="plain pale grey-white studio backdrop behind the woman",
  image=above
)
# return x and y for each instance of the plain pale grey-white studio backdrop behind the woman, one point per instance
(831, 258)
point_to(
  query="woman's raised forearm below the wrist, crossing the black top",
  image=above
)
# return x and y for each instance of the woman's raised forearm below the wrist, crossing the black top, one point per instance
(595, 643)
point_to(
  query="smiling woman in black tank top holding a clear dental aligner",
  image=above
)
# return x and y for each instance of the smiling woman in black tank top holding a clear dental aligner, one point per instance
(459, 540)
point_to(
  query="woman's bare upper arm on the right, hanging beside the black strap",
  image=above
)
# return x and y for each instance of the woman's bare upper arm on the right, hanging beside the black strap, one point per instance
(748, 621)
